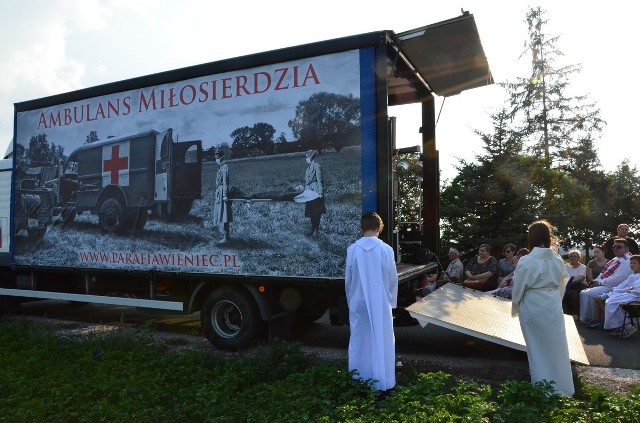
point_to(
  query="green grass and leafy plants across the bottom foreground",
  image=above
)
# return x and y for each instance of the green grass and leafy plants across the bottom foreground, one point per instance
(122, 376)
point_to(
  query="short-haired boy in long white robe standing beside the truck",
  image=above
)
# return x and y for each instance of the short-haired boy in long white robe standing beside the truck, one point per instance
(371, 283)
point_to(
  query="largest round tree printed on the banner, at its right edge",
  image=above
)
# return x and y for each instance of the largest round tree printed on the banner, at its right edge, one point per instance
(327, 120)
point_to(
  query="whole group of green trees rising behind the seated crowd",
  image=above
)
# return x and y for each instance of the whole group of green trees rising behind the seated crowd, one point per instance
(539, 162)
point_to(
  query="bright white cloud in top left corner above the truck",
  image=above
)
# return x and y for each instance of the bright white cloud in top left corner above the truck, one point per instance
(34, 60)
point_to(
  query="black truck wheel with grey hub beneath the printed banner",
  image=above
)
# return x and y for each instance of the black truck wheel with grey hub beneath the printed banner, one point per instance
(230, 319)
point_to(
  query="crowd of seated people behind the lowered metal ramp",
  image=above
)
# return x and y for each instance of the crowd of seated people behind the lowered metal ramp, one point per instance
(594, 291)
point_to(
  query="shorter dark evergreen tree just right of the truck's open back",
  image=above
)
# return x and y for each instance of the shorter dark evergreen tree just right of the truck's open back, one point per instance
(491, 201)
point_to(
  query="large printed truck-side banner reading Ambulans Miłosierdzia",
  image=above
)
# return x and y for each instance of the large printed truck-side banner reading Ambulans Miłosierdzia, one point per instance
(266, 205)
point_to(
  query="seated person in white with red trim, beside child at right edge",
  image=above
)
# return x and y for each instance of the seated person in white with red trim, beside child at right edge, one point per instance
(613, 273)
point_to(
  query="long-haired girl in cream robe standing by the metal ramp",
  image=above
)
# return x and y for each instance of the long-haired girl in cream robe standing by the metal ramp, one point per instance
(541, 278)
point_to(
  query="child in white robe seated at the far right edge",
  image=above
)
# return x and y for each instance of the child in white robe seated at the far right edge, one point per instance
(628, 291)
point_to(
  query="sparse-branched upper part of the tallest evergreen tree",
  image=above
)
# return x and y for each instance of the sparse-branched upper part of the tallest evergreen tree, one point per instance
(554, 124)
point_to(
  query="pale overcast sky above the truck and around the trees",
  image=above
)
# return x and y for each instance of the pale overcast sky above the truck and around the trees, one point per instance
(51, 47)
